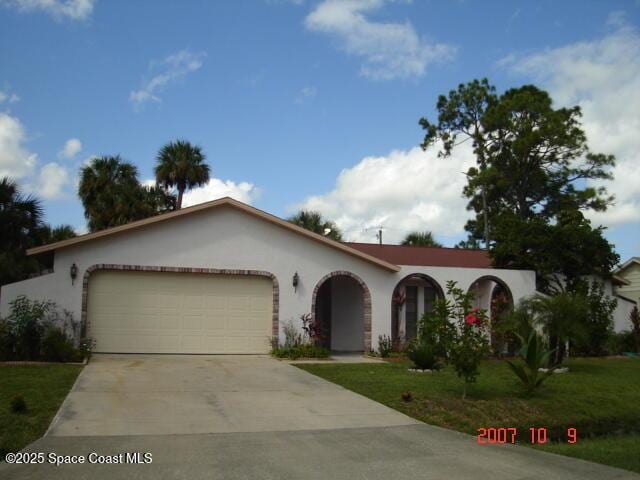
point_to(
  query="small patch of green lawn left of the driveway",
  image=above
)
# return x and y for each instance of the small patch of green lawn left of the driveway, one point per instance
(44, 387)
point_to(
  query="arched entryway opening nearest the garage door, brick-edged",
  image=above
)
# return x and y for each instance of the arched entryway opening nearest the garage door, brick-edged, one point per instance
(341, 302)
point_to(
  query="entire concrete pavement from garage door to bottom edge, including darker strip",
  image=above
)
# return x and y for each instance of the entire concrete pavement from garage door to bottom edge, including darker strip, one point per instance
(247, 417)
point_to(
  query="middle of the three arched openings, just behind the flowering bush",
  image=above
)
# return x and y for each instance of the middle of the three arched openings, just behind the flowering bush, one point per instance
(412, 297)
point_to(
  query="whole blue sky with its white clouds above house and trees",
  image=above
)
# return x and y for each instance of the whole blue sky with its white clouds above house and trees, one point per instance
(305, 103)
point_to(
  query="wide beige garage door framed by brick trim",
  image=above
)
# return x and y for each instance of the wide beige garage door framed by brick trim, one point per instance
(158, 312)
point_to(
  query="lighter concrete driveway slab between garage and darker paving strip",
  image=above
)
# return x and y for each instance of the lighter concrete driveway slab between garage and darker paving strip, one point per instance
(186, 394)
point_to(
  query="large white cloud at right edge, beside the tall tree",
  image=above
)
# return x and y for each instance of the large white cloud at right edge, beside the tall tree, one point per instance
(603, 77)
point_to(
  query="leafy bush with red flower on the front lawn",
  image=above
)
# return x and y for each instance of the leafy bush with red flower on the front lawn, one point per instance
(458, 332)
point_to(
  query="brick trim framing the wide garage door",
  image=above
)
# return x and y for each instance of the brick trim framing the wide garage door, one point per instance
(275, 323)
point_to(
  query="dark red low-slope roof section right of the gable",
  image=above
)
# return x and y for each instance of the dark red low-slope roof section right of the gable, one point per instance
(425, 256)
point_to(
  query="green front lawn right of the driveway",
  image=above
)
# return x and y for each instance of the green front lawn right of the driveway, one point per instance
(598, 397)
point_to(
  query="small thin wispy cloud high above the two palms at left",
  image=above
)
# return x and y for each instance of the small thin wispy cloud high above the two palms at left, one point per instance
(173, 68)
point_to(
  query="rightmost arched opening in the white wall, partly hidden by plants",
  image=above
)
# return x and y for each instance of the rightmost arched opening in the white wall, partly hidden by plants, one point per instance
(493, 295)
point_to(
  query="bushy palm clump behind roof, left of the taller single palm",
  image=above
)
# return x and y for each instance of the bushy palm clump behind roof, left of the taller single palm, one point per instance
(111, 194)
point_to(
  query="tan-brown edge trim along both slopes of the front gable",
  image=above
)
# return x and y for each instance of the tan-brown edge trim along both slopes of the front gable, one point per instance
(226, 201)
